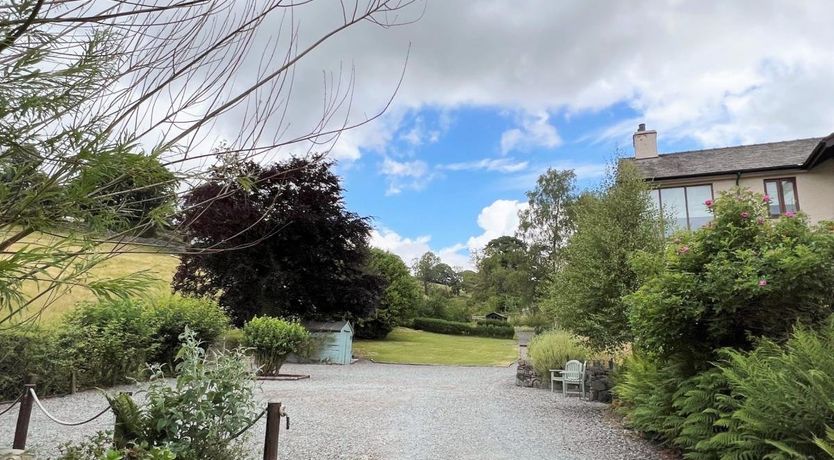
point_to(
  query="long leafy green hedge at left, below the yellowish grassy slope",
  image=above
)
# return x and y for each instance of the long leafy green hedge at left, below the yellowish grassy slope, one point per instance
(105, 343)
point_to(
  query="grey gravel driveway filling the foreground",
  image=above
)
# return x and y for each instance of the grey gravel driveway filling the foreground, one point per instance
(381, 411)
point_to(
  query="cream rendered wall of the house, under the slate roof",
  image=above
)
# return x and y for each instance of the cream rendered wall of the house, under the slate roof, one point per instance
(815, 188)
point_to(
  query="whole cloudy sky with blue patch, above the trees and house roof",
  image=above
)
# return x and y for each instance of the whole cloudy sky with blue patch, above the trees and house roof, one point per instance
(495, 92)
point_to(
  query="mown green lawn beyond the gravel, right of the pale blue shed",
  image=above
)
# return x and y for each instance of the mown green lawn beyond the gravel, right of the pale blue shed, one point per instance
(408, 346)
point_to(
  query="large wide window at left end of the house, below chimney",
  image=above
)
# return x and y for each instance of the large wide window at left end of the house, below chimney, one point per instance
(684, 207)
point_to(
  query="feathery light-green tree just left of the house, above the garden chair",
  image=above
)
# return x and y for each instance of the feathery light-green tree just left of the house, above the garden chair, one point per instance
(612, 223)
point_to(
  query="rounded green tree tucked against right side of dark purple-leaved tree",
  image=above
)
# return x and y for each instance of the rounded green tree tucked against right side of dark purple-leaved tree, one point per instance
(400, 299)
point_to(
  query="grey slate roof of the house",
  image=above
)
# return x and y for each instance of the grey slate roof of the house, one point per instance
(729, 160)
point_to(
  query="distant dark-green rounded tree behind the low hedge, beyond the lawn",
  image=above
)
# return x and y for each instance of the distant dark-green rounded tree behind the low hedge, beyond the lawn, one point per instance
(505, 275)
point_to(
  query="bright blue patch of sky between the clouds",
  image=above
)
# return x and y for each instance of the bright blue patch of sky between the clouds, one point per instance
(442, 168)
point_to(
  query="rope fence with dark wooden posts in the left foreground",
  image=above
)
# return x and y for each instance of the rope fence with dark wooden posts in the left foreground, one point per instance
(273, 411)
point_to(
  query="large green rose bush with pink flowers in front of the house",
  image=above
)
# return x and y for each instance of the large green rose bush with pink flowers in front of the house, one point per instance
(743, 276)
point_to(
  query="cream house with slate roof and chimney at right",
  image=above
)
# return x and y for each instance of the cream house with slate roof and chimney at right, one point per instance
(798, 175)
